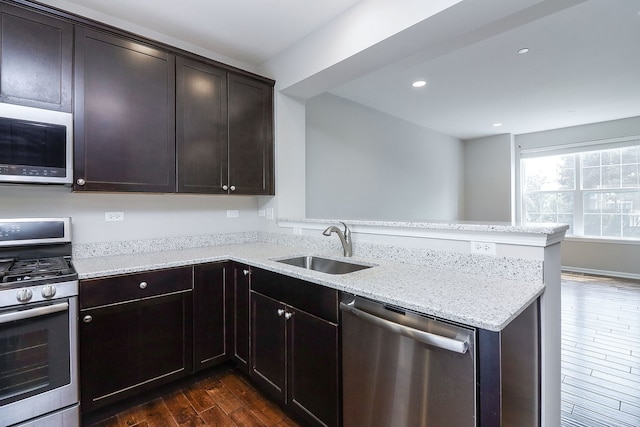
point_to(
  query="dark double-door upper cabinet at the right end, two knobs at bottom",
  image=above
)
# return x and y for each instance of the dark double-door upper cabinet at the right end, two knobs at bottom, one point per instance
(224, 131)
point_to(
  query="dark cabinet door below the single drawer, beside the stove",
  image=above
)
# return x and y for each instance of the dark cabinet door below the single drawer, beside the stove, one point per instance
(132, 347)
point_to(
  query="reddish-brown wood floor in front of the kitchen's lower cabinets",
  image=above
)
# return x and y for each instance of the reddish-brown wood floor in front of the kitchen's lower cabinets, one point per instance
(222, 399)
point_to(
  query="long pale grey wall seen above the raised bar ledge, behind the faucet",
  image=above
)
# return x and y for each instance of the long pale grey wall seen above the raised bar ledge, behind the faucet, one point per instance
(364, 164)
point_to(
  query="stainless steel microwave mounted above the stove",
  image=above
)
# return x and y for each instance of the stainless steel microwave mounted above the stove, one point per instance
(35, 145)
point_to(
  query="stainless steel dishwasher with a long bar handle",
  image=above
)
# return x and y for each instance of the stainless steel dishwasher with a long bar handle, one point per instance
(403, 369)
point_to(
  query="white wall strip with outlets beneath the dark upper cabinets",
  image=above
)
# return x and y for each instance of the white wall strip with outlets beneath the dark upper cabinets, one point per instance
(146, 215)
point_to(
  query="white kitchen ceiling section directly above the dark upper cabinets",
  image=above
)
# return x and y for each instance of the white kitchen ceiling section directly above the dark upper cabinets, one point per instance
(251, 31)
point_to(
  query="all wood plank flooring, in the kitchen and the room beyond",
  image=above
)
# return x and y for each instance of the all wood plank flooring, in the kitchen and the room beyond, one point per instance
(600, 371)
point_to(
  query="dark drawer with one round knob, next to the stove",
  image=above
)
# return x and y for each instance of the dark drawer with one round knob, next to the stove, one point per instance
(115, 289)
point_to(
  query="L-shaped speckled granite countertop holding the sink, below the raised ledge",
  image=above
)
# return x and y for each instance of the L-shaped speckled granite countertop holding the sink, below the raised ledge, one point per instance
(478, 301)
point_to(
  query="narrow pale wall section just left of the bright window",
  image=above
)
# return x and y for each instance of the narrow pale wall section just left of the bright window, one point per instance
(487, 178)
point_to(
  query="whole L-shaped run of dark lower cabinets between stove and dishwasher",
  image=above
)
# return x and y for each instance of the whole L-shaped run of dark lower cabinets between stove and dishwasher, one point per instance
(139, 331)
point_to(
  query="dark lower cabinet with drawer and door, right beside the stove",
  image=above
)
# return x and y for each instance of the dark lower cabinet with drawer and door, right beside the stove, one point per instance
(135, 334)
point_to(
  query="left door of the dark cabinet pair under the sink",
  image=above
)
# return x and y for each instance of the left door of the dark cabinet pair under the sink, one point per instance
(268, 344)
